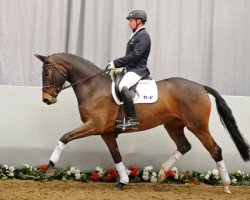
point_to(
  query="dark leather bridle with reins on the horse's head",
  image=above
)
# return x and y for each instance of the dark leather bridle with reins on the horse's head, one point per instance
(59, 89)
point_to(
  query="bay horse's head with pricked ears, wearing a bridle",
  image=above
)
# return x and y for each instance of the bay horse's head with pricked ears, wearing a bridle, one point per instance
(53, 79)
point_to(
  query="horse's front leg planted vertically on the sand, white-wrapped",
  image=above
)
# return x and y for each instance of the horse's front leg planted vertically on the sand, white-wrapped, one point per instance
(114, 150)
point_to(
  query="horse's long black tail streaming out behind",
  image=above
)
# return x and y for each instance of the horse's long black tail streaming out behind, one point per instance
(229, 122)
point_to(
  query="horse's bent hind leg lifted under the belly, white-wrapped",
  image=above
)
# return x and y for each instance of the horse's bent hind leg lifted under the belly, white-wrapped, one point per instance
(176, 131)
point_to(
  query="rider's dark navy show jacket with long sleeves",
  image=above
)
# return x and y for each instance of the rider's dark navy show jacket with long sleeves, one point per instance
(137, 52)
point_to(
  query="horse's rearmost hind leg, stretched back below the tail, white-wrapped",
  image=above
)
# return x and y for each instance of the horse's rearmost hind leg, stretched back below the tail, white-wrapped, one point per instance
(215, 151)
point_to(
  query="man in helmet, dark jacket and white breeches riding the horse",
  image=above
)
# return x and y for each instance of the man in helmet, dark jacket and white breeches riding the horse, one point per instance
(134, 62)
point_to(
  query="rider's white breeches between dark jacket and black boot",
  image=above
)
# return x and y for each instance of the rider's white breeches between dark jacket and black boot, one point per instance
(129, 80)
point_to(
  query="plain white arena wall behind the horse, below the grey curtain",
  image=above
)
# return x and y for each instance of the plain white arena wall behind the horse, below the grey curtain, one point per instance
(30, 130)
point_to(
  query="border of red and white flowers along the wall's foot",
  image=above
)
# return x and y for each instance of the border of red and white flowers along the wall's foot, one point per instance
(27, 172)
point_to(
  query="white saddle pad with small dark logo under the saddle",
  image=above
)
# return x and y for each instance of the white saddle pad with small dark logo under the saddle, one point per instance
(147, 92)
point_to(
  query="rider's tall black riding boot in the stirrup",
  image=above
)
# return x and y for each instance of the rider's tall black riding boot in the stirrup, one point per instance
(129, 110)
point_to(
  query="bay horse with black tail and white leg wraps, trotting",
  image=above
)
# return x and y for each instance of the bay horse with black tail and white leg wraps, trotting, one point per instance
(181, 103)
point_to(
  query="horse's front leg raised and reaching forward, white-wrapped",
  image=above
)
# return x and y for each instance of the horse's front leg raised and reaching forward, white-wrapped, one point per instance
(83, 131)
